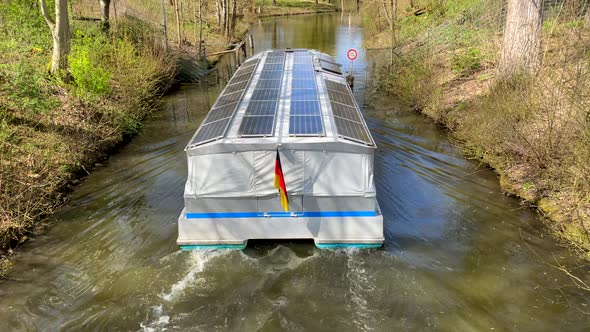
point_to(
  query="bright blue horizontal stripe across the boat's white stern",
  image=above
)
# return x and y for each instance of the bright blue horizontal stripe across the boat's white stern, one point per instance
(310, 214)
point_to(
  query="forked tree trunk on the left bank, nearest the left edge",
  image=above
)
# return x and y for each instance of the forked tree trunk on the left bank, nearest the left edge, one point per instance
(60, 31)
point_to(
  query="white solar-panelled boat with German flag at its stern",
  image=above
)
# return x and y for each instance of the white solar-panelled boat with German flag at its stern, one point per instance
(284, 153)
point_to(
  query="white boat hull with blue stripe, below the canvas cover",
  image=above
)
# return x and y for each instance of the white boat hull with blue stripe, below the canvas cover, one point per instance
(328, 229)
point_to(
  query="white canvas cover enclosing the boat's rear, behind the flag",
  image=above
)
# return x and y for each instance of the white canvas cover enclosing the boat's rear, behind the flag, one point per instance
(251, 173)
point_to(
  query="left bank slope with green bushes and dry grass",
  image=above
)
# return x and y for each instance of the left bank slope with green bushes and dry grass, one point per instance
(52, 132)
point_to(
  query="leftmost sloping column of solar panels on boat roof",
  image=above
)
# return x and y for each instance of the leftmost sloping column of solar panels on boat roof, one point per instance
(215, 124)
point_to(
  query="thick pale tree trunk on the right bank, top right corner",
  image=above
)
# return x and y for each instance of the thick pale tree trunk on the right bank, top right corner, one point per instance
(521, 47)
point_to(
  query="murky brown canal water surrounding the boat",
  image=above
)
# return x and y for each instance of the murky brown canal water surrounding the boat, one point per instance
(458, 255)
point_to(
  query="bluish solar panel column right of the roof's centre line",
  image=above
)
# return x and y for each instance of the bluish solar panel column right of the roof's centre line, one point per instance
(305, 116)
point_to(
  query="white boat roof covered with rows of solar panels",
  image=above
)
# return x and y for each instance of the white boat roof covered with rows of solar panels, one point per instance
(285, 97)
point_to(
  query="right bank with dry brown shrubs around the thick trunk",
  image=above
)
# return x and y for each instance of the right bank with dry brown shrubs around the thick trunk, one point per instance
(533, 131)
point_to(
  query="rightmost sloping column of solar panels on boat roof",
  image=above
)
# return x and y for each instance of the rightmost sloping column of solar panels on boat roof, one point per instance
(346, 115)
